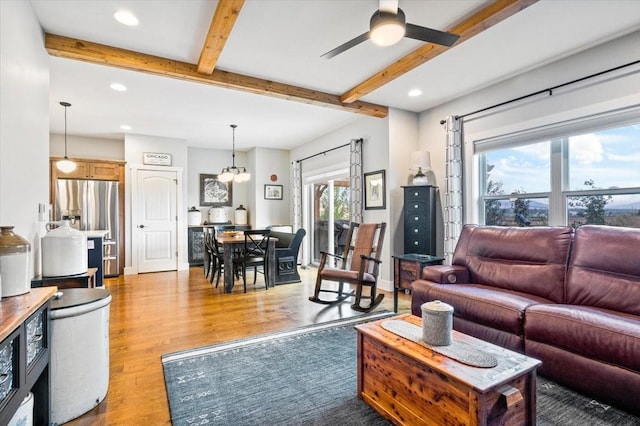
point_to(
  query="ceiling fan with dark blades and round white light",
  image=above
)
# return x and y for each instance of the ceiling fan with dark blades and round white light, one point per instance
(388, 25)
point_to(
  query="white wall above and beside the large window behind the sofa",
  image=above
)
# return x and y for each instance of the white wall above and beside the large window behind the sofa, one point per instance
(598, 95)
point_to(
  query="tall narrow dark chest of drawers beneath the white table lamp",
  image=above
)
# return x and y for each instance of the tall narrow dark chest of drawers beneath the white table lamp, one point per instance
(419, 219)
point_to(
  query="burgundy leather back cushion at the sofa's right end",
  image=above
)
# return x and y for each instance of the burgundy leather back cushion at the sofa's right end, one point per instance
(604, 268)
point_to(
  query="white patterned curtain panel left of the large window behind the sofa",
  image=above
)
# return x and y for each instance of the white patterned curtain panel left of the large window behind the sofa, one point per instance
(453, 213)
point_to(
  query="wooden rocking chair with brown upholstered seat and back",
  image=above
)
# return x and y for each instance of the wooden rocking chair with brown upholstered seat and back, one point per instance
(359, 265)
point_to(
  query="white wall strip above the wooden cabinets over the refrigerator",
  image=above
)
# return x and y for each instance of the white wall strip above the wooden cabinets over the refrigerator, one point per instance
(86, 147)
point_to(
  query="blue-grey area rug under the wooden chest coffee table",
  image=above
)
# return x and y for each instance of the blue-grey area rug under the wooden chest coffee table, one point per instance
(307, 376)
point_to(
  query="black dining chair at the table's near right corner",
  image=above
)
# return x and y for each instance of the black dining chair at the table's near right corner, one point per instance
(255, 254)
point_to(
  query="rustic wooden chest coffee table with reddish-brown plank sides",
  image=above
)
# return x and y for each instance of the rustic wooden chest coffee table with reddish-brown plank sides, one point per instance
(408, 383)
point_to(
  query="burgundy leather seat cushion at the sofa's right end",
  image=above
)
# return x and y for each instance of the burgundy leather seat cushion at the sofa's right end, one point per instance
(590, 332)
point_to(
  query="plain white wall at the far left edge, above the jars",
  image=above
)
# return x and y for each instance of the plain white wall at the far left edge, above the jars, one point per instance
(24, 122)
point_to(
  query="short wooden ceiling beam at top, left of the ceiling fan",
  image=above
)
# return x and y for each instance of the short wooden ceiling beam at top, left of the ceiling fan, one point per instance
(222, 23)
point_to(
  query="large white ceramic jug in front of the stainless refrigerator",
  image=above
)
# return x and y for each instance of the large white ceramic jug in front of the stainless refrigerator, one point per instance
(64, 251)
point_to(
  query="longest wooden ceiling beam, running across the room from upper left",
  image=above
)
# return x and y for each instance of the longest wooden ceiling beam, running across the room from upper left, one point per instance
(70, 48)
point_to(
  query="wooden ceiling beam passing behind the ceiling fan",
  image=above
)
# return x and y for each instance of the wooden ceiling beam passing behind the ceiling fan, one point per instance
(487, 17)
